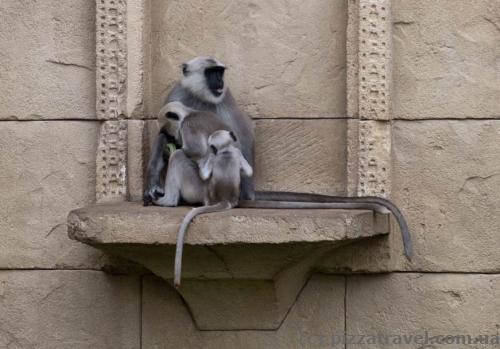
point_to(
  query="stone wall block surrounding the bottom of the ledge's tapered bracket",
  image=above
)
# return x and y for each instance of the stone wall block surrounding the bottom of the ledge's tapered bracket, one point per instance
(317, 314)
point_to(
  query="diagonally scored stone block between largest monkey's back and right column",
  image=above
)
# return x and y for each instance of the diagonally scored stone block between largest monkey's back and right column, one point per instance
(301, 155)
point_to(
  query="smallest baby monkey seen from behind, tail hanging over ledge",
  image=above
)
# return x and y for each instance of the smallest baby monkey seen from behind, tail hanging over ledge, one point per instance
(222, 171)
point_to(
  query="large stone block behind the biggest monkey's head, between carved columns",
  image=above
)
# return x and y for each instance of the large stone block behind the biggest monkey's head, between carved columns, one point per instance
(283, 57)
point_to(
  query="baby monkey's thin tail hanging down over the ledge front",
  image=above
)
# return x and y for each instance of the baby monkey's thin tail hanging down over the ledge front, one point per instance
(221, 206)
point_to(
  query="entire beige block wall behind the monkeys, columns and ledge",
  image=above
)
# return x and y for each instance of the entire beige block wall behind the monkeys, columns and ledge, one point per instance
(287, 68)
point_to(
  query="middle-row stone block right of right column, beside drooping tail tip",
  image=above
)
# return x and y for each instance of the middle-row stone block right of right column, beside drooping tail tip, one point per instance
(446, 179)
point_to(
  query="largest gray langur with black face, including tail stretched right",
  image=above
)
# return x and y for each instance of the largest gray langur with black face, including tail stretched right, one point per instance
(202, 87)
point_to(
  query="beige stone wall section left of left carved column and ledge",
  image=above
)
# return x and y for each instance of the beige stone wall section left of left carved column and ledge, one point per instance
(52, 294)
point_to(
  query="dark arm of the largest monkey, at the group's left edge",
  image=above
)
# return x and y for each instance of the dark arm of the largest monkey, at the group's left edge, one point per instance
(155, 166)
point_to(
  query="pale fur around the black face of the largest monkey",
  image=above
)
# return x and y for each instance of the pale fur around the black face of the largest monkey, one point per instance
(195, 80)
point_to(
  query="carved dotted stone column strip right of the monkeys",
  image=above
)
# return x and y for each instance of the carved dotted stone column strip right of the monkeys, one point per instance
(369, 55)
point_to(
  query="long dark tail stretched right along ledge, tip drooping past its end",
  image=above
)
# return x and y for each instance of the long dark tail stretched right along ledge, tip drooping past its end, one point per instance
(320, 198)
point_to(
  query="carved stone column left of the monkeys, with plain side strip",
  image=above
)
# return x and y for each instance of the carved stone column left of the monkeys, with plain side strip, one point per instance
(121, 82)
